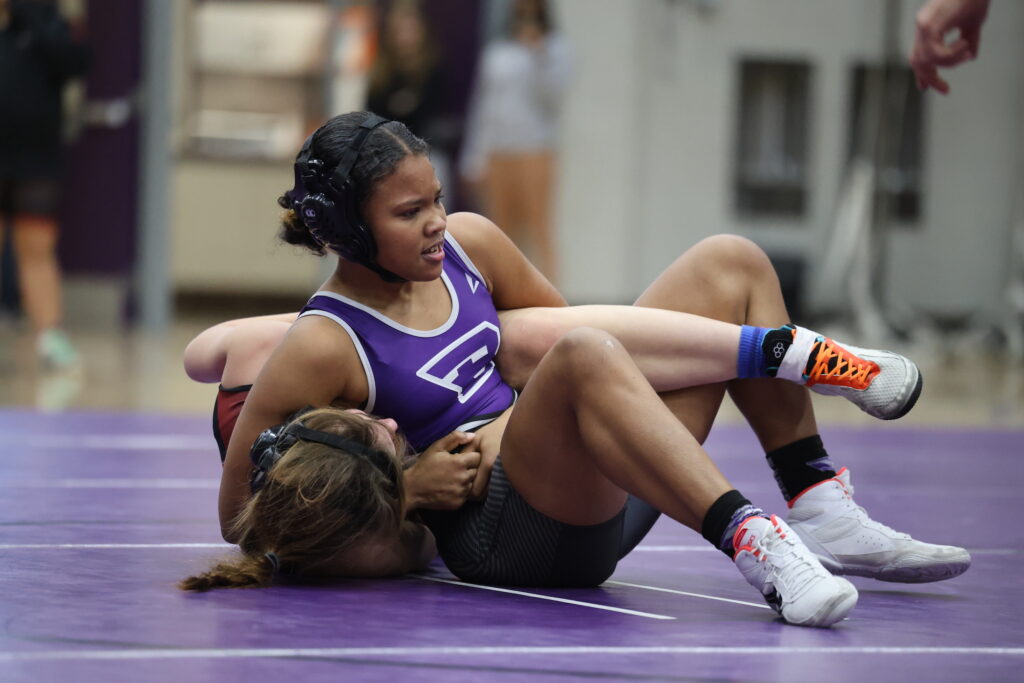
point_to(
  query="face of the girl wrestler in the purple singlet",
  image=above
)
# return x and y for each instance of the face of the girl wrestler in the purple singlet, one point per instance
(408, 220)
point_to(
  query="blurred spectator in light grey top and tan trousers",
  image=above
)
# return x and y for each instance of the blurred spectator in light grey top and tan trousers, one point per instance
(511, 141)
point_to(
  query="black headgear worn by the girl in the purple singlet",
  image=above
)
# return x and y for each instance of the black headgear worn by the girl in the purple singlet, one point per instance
(325, 201)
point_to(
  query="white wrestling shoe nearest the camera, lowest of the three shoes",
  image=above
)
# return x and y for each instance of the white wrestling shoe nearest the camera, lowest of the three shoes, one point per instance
(775, 561)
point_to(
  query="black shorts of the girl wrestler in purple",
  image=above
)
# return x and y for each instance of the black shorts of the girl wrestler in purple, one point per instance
(504, 541)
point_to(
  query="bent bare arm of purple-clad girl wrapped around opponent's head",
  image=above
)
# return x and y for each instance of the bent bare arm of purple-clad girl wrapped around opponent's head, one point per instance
(315, 365)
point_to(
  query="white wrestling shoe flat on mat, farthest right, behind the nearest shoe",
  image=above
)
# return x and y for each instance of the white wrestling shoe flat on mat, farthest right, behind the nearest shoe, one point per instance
(848, 542)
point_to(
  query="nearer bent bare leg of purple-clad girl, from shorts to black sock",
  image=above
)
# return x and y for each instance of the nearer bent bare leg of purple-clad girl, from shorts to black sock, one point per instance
(590, 405)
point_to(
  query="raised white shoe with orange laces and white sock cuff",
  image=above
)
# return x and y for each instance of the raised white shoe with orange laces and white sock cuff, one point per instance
(884, 385)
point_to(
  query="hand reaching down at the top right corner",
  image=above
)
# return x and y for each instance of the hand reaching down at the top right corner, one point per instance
(931, 51)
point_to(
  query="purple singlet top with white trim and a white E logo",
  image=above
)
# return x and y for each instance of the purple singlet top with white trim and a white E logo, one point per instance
(431, 382)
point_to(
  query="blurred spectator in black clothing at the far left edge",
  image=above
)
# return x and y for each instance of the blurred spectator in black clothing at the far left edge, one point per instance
(37, 58)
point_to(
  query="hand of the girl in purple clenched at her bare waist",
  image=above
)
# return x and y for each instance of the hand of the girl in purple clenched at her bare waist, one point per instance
(442, 479)
